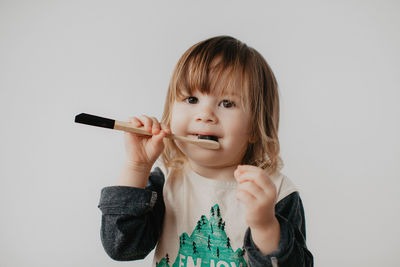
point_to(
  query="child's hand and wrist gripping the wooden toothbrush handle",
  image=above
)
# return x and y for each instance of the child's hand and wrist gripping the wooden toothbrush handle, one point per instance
(143, 150)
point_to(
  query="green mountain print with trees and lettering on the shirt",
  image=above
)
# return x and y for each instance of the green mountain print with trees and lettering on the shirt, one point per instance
(208, 246)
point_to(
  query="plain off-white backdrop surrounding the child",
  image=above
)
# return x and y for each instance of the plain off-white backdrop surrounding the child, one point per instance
(337, 65)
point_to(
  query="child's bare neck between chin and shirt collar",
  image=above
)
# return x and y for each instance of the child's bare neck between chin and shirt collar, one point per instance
(221, 173)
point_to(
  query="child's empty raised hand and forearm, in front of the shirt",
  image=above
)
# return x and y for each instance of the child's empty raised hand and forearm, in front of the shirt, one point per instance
(258, 193)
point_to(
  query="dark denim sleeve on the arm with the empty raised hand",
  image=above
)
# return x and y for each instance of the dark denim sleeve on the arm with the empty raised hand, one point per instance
(292, 250)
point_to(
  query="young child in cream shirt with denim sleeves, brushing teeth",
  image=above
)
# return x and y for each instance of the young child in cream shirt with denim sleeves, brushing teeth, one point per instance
(204, 207)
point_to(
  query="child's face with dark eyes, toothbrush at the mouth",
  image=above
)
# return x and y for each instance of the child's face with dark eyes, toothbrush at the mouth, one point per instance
(213, 114)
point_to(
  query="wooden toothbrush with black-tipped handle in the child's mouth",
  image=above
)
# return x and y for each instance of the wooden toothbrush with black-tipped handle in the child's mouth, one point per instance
(127, 127)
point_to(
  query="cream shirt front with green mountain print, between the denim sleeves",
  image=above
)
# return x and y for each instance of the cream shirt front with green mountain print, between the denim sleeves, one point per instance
(204, 223)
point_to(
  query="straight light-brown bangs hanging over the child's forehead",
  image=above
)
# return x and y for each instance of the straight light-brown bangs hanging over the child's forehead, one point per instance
(213, 69)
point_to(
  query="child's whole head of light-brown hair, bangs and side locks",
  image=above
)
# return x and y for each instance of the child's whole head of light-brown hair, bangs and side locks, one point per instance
(197, 70)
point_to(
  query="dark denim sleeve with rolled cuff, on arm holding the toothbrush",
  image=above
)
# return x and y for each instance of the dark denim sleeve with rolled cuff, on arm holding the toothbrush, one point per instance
(132, 218)
